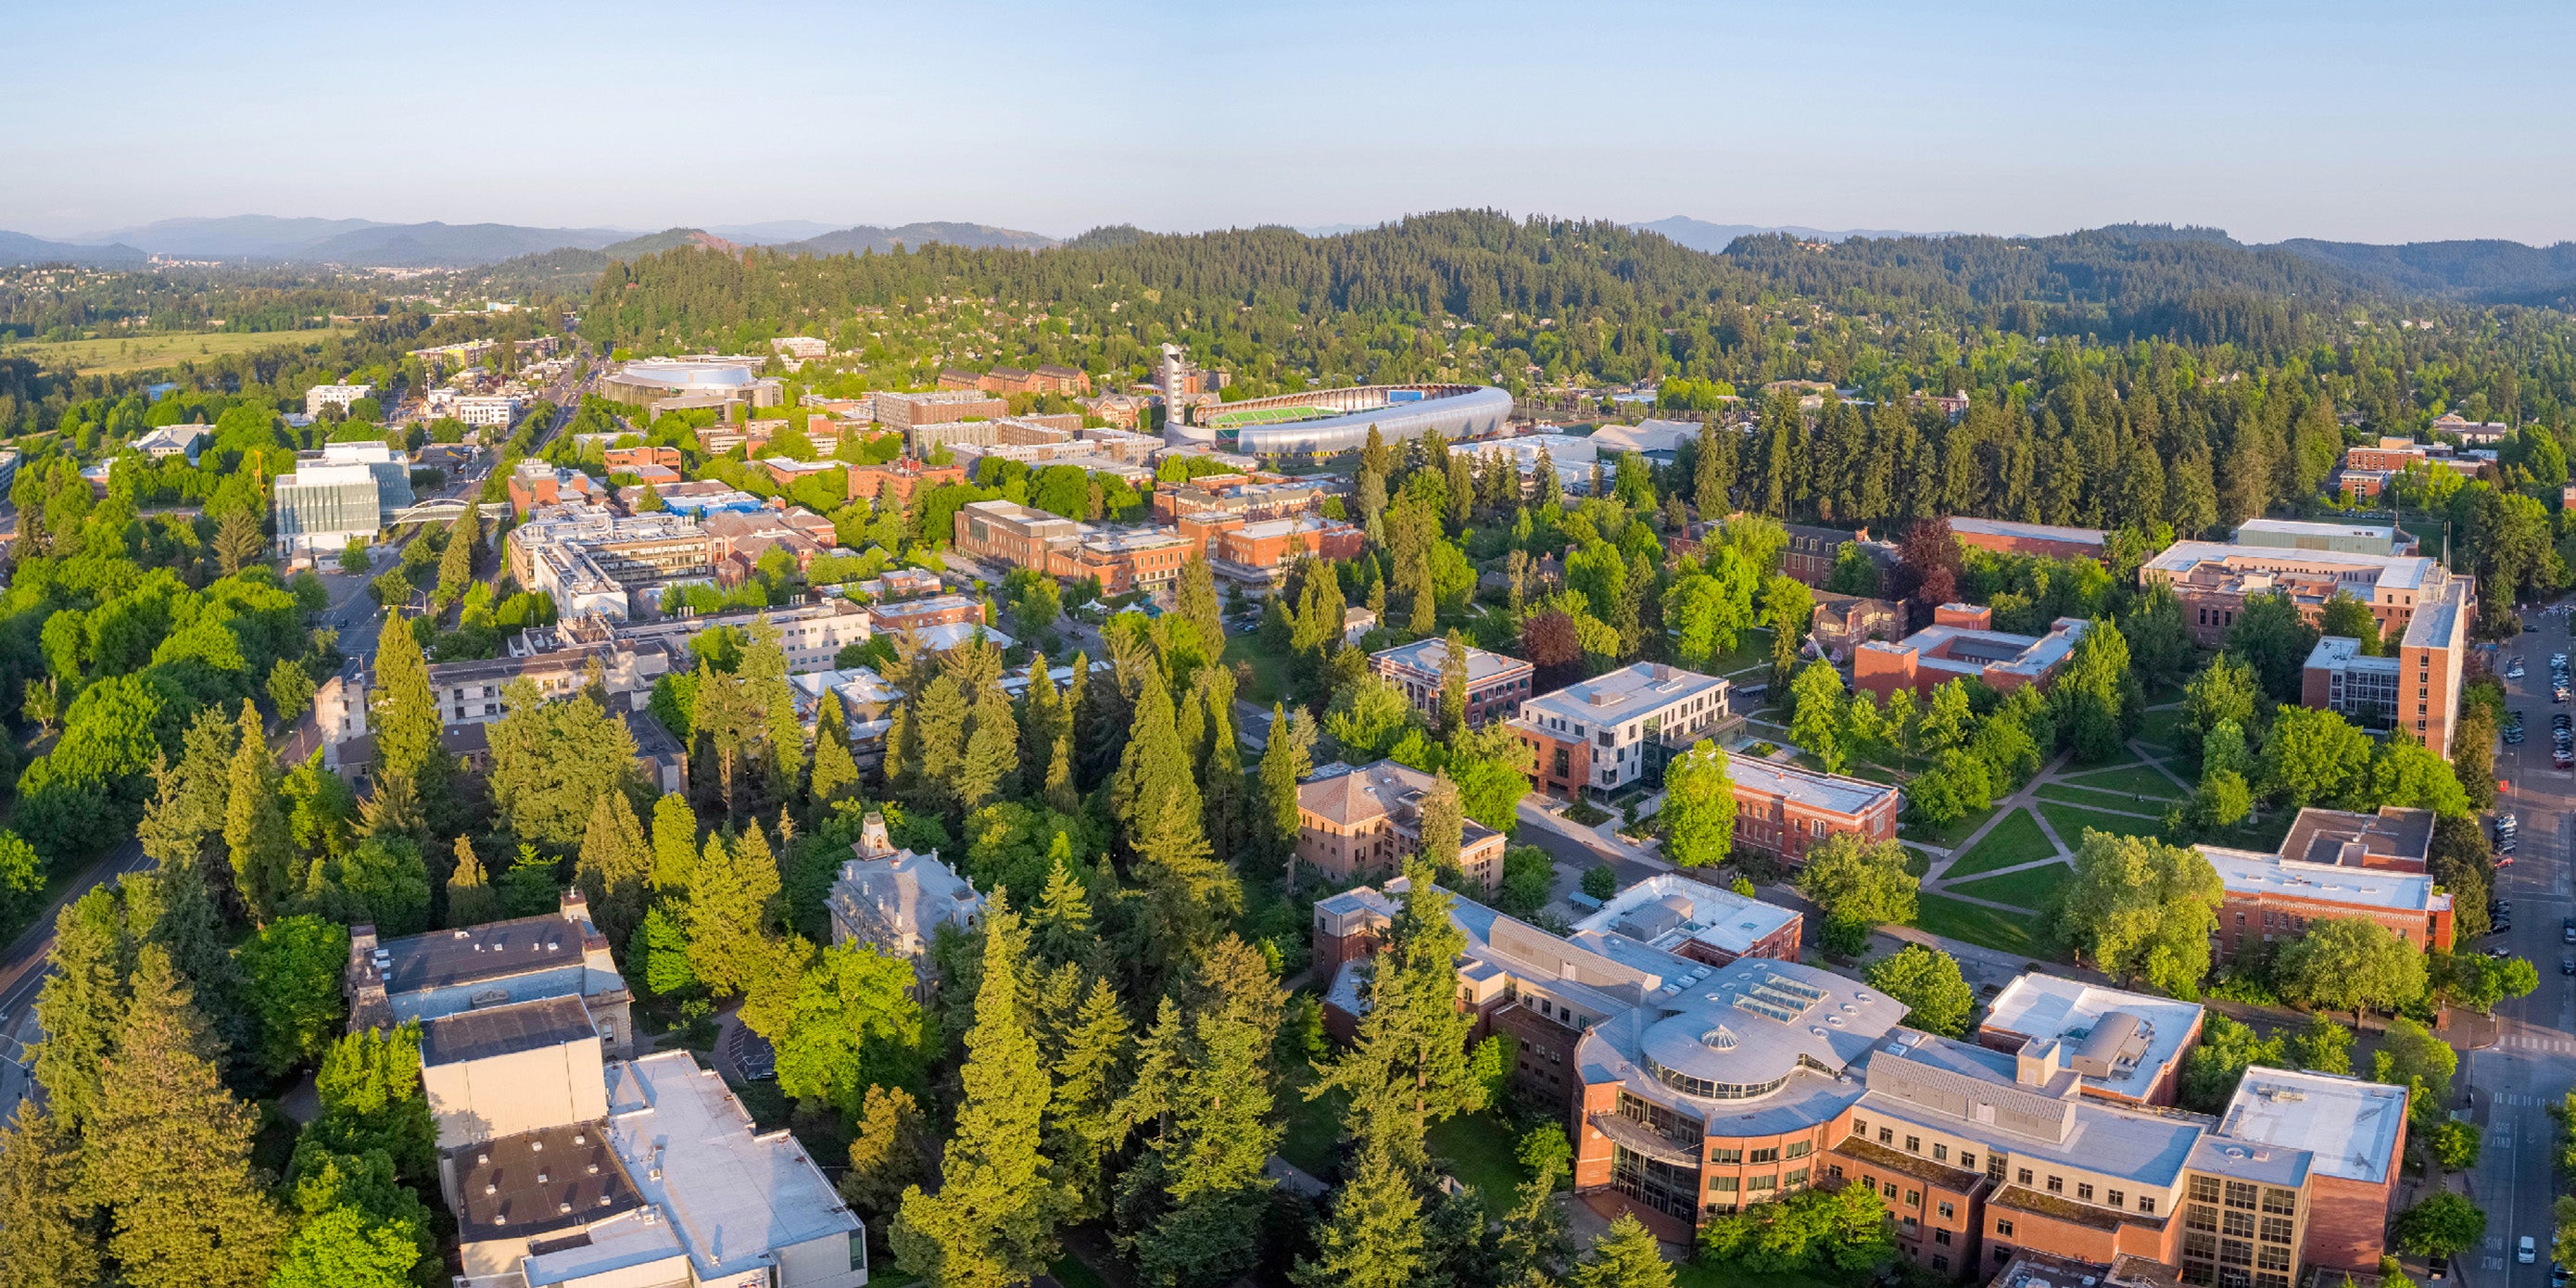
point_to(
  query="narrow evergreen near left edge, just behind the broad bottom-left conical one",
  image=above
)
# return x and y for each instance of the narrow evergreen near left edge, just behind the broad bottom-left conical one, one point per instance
(81, 1006)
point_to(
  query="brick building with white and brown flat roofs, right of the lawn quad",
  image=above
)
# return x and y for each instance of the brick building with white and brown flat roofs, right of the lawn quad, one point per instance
(2338, 872)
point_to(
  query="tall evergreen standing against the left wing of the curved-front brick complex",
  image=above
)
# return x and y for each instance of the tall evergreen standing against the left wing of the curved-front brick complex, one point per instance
(1410, 1065)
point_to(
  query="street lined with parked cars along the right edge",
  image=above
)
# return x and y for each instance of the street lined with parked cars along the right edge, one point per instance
(2533, 1063)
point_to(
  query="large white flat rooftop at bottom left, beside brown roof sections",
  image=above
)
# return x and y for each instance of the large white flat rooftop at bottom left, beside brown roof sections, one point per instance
(733, 1194)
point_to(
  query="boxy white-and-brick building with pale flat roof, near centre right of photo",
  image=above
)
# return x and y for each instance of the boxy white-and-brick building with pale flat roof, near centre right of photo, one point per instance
(1614, 730)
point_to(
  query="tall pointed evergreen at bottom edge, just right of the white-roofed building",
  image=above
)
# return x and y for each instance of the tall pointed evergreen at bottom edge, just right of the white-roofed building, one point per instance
(996, 1217)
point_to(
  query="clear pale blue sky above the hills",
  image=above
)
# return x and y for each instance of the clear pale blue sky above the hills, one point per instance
(2271, 120)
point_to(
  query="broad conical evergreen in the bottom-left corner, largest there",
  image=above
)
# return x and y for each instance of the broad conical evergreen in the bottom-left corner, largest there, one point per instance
(169, 1153)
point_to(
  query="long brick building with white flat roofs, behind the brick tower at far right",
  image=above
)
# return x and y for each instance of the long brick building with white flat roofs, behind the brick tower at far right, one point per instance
(2214, 583)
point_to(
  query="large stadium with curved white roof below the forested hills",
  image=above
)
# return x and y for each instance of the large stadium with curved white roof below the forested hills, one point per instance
(1331, 421)
